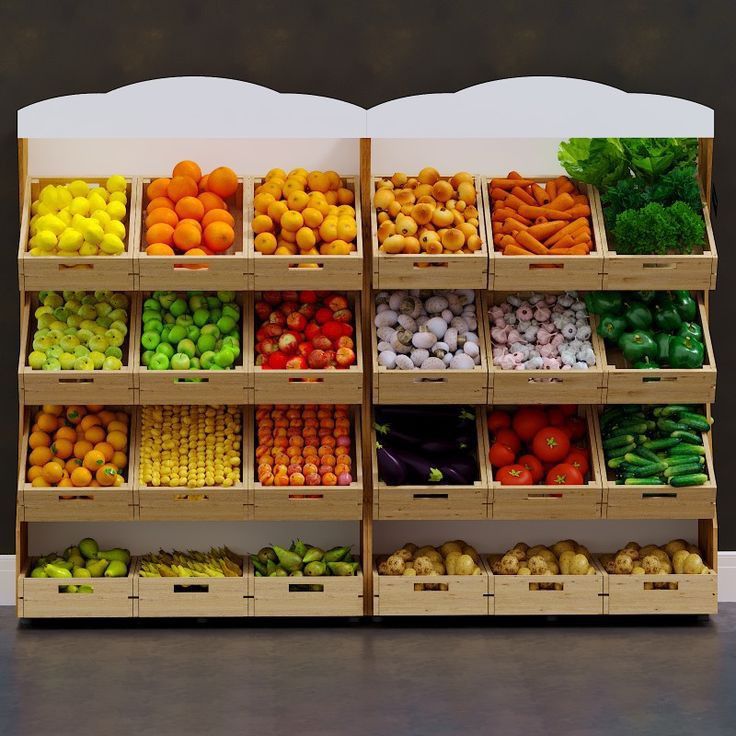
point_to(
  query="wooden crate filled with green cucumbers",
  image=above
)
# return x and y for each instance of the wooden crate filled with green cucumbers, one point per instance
(658, 462)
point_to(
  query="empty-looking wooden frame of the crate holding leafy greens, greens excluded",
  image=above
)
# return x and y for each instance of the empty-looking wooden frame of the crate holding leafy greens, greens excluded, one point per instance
(695, 271)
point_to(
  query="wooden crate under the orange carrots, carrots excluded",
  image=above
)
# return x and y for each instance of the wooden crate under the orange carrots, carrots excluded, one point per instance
(545, 273)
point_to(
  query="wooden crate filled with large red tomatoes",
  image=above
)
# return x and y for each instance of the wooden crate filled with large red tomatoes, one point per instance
(543, 463)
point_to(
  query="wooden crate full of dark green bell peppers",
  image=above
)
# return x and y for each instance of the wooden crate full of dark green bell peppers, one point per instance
(658, 346)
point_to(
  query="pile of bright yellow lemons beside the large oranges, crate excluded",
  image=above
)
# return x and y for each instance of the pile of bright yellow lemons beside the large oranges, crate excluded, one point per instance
(76, 219)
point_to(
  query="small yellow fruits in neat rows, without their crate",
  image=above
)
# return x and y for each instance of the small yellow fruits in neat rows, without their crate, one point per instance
(192, 446)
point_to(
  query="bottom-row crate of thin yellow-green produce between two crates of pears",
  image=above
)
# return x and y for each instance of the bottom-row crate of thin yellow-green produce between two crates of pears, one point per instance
(192, 584)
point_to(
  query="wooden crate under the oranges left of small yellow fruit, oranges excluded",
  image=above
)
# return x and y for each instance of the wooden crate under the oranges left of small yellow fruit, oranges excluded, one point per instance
(75, 504)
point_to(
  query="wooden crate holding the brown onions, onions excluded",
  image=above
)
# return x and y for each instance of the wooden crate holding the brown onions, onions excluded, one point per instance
(423, 270)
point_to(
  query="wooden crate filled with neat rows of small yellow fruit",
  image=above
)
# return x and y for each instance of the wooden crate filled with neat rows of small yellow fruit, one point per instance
(191, 463)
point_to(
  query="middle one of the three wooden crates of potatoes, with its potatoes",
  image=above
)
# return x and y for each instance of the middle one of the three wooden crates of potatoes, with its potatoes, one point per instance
(576, 585)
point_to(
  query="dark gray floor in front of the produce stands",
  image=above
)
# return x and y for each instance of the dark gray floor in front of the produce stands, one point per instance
(454, 677)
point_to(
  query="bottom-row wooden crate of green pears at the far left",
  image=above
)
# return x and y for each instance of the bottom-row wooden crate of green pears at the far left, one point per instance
(83, 580)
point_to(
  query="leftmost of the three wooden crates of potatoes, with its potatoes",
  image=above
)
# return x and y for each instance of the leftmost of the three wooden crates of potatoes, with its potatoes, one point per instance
(449, 580)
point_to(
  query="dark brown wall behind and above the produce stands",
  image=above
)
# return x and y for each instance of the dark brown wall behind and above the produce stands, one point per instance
(367, 53)
